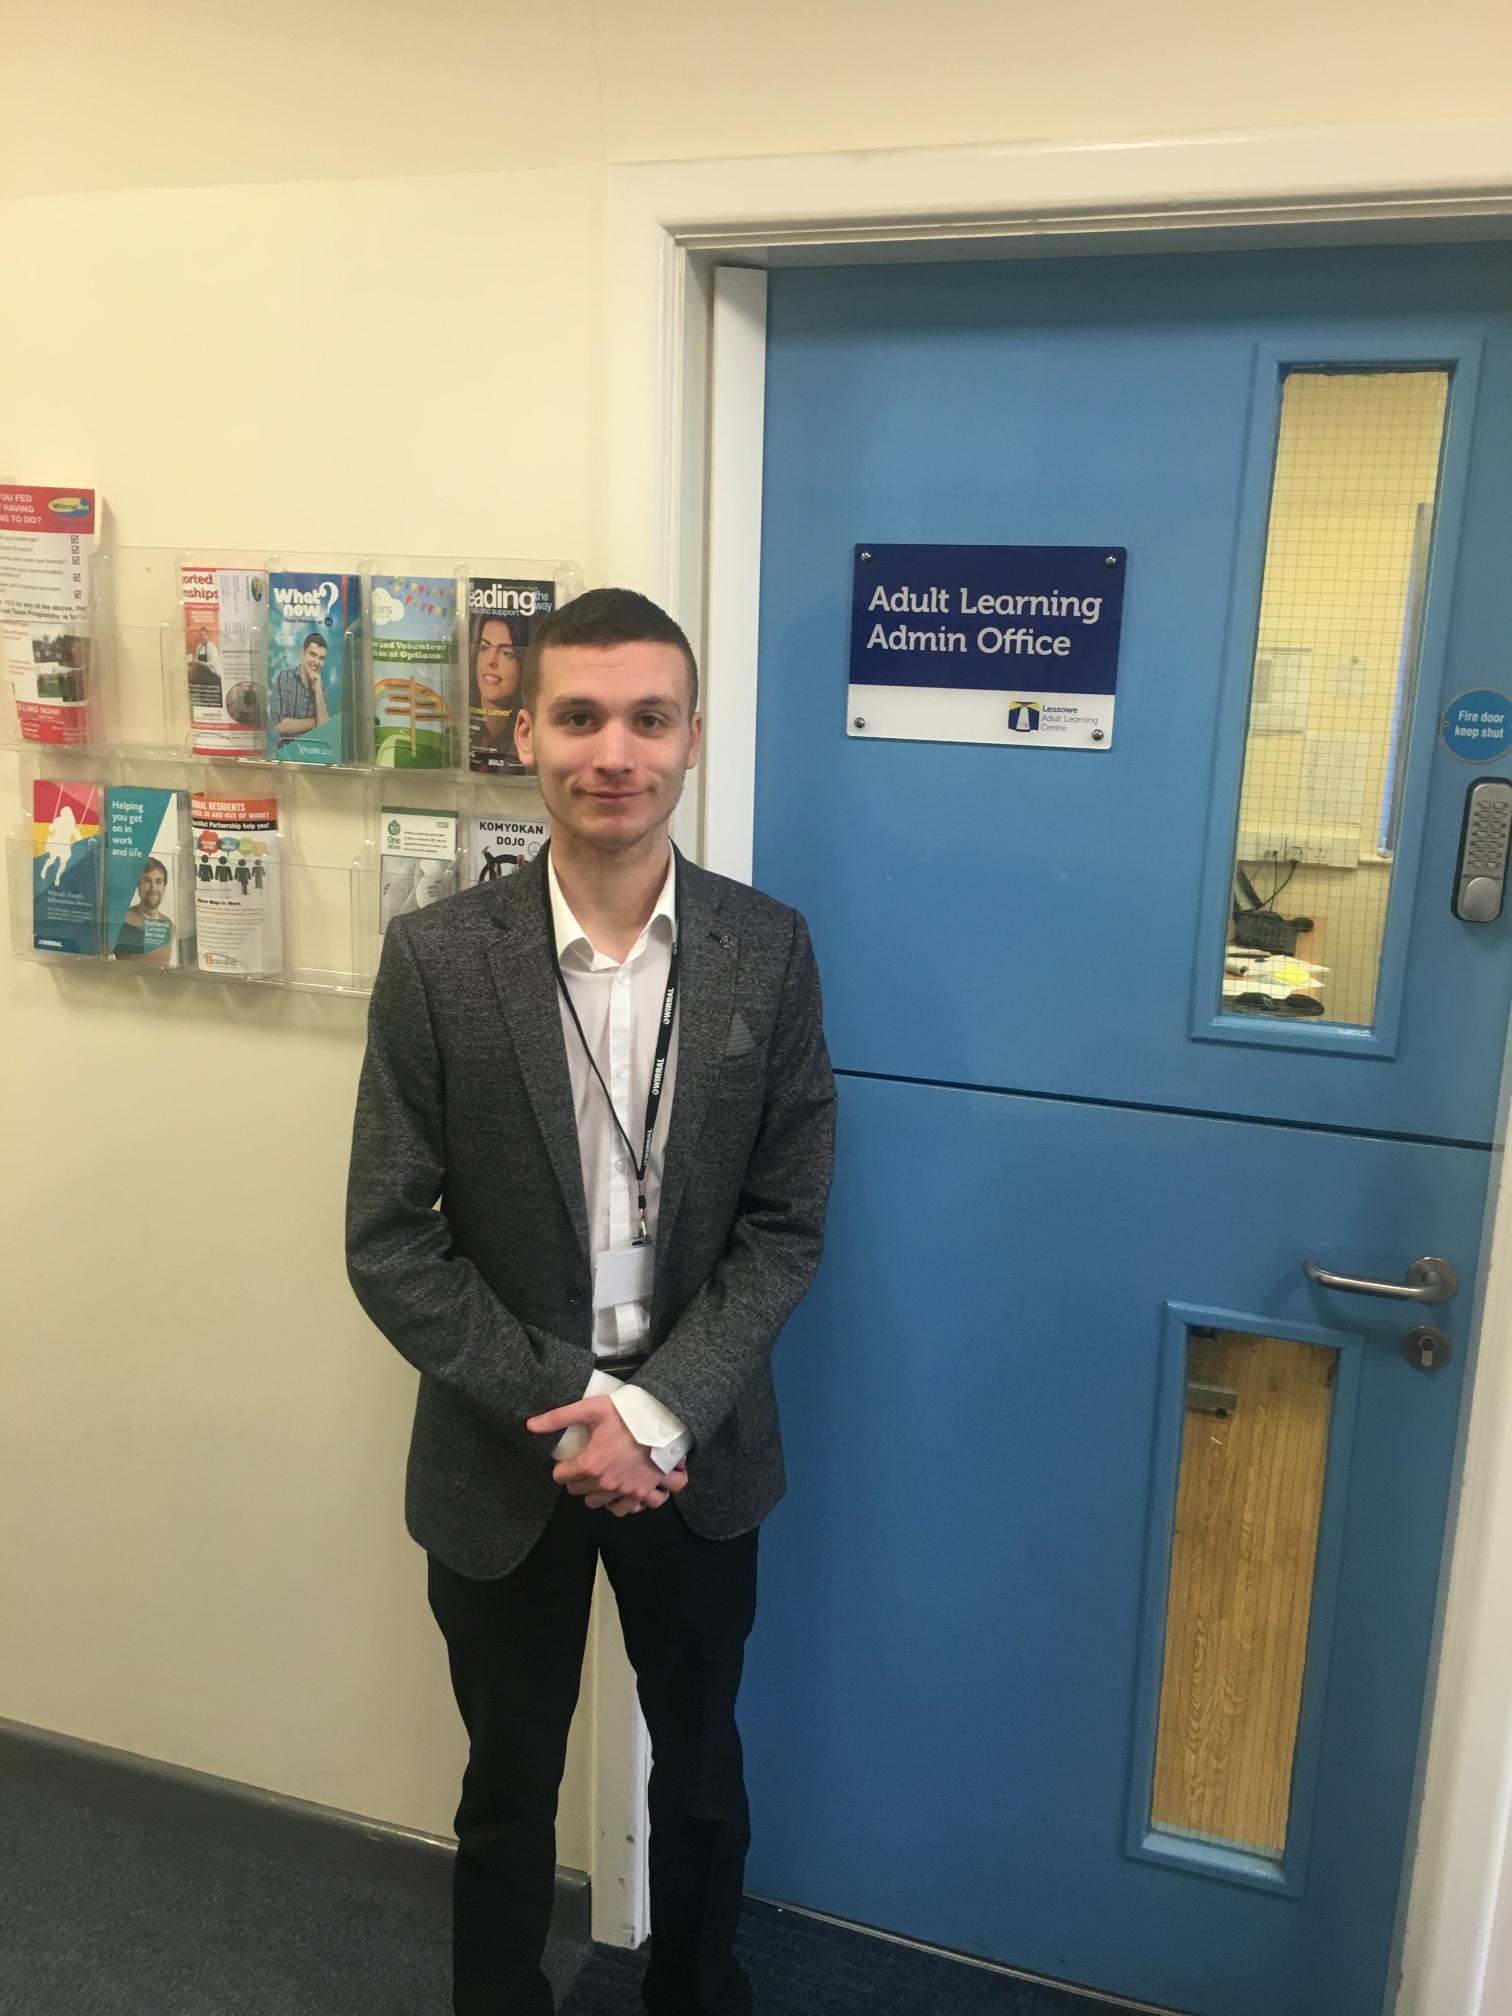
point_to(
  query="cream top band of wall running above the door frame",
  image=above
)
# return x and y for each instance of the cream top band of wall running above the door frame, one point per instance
(203, 92)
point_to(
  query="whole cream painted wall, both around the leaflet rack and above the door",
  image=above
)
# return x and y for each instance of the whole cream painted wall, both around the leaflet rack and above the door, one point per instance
(340, 287)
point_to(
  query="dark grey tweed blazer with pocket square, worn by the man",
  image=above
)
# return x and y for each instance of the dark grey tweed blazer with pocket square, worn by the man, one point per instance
(467, 1225)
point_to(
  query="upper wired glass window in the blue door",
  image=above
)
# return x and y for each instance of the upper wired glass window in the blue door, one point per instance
(1336, 676)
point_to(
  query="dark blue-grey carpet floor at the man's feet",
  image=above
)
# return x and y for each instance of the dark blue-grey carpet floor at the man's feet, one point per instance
(124, 1918)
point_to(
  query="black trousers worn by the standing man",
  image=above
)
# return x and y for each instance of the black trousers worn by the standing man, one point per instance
(515, 1646)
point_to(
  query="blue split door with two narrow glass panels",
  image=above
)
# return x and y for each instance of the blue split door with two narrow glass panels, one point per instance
(1096, 1628)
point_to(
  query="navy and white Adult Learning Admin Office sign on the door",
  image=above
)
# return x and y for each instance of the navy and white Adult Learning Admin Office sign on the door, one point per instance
(987, 644)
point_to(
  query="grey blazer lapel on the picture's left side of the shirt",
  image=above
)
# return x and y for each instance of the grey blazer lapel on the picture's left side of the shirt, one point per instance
(525, 979)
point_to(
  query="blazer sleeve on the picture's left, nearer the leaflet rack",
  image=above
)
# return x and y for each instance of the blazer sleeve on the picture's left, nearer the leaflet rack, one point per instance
(430, 1301)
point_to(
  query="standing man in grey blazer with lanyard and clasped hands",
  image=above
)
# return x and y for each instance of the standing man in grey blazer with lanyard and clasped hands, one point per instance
(610, 1072)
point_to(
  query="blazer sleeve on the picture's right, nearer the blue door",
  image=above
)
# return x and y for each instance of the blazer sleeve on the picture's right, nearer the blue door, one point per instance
(727, 1332)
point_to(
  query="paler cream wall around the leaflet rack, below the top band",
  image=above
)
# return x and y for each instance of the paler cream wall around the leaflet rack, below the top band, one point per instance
(203, 1438)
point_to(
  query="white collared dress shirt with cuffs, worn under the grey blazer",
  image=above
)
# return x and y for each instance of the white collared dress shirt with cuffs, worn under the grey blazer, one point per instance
(620, 1009)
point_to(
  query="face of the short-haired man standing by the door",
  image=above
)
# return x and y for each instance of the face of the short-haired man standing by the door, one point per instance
(612, 739)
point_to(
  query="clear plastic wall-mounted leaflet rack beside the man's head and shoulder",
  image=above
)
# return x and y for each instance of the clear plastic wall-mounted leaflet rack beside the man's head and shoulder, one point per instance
(320, 886)
